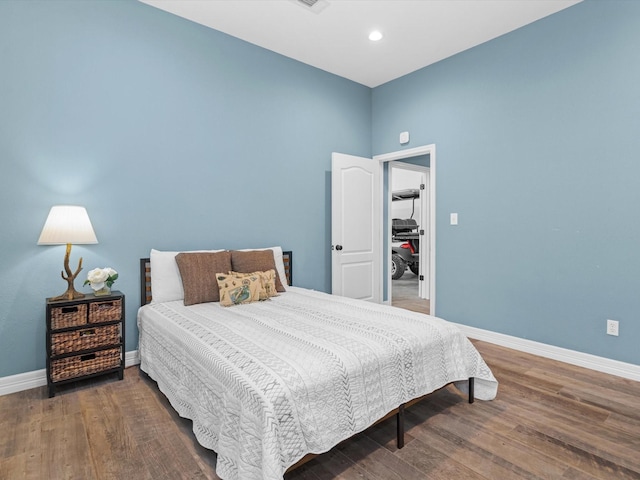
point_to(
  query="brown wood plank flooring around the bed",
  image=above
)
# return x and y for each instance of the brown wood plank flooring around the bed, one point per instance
(550, 421)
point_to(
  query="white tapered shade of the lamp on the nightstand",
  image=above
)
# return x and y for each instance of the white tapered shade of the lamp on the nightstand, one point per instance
(67, 224)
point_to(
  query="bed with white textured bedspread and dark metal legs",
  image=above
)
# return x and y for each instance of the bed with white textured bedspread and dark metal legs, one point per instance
(269, 383)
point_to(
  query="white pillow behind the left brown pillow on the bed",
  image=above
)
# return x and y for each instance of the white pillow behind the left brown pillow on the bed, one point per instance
(166, 282)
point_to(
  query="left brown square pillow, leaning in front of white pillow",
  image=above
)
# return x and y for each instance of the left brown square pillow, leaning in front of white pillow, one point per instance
(198, 271)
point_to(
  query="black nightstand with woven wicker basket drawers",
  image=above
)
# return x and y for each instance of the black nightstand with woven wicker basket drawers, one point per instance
(85, 338)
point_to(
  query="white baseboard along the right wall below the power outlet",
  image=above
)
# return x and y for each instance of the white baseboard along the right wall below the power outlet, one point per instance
(586, 360)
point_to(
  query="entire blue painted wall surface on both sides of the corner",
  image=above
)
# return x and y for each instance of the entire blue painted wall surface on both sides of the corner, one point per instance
(175, 136)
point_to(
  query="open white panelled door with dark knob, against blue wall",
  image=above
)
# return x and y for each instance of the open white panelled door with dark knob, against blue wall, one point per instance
(355, 227)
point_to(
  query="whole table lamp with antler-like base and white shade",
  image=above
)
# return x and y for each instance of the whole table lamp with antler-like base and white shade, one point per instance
(67, 224)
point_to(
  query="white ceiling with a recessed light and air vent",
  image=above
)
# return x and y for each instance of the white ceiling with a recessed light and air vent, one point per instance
(333, 34)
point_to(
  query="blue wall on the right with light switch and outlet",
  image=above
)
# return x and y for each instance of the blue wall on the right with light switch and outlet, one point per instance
(537, 150)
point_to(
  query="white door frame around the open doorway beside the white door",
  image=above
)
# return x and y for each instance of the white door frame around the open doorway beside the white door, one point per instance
(400, 155)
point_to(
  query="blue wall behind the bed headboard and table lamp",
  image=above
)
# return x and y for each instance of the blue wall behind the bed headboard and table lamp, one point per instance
(172, 135)
